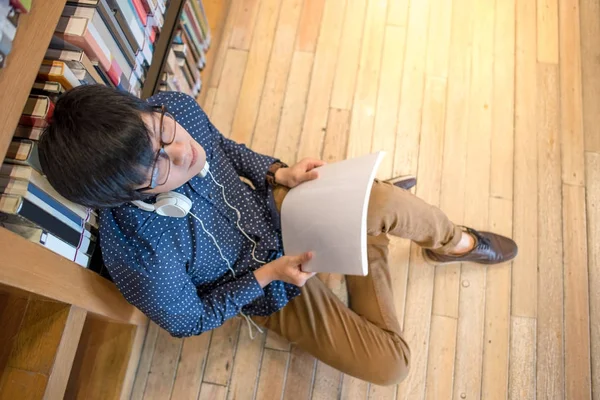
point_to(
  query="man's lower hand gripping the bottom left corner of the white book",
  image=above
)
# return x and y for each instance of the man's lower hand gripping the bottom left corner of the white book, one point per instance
(287, 269)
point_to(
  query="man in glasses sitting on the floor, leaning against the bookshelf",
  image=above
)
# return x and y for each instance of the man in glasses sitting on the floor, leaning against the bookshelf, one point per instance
(105, 149)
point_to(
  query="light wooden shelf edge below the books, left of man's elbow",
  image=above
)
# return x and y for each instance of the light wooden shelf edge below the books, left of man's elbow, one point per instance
(47, 274)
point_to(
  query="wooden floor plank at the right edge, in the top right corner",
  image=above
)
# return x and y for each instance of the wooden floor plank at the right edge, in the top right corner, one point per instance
(589, 12)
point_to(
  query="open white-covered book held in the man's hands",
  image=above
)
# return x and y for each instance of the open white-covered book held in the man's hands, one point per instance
(328, 216)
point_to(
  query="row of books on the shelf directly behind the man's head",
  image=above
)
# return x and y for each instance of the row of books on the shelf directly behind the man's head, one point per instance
(106, 42)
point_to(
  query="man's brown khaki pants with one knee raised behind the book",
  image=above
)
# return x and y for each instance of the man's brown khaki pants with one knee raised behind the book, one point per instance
(364, 340)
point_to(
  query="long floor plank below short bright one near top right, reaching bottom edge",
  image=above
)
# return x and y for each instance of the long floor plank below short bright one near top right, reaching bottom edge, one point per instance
(550, 367)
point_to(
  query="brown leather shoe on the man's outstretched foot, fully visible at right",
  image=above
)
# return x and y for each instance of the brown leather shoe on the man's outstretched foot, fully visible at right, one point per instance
(490, 248)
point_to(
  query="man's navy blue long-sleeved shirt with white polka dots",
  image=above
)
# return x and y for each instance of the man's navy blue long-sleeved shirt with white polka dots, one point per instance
(170, 268)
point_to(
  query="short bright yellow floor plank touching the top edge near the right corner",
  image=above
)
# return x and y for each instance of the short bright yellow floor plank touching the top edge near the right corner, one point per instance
(547, 31)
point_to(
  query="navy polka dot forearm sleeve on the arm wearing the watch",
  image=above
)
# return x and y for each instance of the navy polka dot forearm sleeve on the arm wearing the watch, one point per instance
(247, 163)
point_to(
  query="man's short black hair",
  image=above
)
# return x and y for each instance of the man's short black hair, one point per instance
(97, 150)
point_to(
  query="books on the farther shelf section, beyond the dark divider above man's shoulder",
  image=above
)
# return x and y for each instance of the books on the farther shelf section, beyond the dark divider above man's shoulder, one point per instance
(187, 55)
